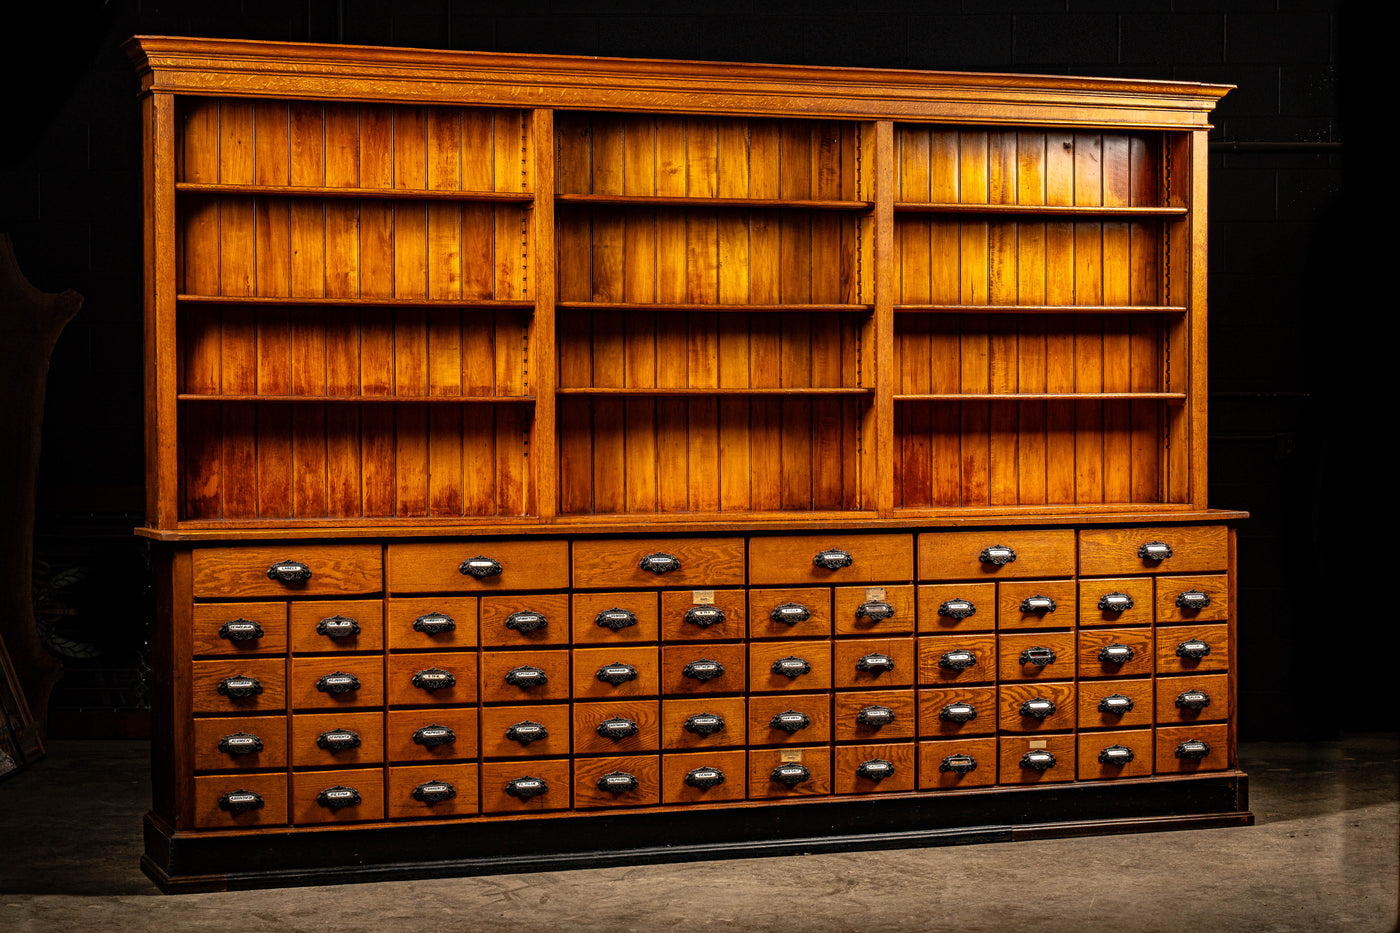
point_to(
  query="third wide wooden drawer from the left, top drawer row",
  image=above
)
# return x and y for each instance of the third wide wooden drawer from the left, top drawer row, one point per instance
(659, 562)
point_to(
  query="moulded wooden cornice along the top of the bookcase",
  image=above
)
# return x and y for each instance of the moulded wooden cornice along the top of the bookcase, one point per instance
(233, 68)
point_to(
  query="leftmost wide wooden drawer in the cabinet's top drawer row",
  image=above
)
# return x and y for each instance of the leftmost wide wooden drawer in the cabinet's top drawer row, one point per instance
(295, 568)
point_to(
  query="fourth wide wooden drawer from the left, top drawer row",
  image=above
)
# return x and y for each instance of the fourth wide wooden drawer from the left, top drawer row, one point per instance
(794, 560)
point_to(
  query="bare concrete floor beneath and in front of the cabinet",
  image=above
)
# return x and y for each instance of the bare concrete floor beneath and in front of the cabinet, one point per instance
(1324, 857)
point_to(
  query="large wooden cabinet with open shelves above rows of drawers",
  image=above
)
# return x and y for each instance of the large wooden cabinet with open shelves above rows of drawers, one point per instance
(622, 442)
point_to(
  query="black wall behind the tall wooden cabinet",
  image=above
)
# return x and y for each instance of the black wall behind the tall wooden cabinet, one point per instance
(1283, 364)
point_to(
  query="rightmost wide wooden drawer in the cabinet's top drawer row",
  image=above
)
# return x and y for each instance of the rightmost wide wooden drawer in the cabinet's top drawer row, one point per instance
(1154, 550)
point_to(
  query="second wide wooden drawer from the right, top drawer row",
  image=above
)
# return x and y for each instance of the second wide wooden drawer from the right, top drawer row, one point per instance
(979, 555)
